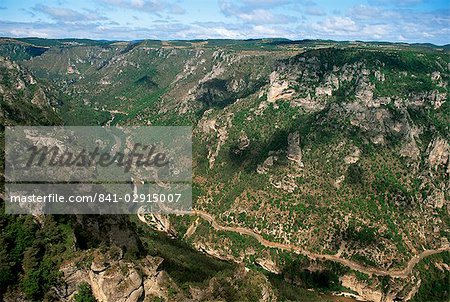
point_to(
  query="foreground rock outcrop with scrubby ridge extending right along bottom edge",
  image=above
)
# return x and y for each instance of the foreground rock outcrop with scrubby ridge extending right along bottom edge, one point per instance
(114, 279)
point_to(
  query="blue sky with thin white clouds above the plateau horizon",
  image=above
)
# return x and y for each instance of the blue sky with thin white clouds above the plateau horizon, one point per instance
(387, 20)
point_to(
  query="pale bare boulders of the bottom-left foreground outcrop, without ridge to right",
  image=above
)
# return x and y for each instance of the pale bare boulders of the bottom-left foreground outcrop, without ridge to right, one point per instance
(113, 279)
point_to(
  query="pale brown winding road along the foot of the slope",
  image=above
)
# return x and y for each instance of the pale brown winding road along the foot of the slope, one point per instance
(395, 273)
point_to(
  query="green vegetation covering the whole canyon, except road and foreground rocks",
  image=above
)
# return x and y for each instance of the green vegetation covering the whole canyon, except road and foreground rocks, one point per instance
(355, 191)
